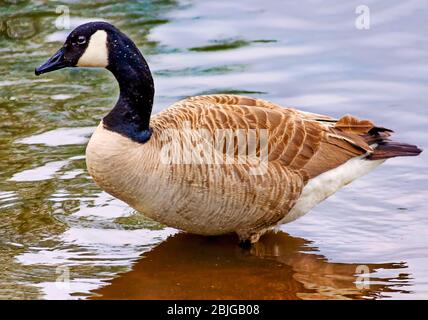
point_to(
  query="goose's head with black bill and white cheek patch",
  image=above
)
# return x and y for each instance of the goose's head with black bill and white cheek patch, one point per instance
(87, 46)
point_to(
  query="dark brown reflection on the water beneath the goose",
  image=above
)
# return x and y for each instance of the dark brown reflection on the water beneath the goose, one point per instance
(280, 266)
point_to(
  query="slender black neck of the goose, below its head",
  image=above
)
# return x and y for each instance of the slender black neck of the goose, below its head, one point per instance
(131, 115)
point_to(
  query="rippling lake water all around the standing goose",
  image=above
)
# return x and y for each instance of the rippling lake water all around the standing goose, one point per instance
(62, 237)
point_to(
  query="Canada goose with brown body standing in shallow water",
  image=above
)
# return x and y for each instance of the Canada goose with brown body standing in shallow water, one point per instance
(299, 158)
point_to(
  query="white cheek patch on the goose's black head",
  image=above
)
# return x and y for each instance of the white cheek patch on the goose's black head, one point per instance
(96, 54)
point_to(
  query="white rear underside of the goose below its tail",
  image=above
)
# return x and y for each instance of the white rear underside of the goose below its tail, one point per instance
(327, 183)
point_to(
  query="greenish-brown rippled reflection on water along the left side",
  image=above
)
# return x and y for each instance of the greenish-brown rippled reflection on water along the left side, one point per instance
(35, 213)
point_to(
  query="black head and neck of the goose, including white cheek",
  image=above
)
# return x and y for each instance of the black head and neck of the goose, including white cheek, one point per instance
(102, 45)
